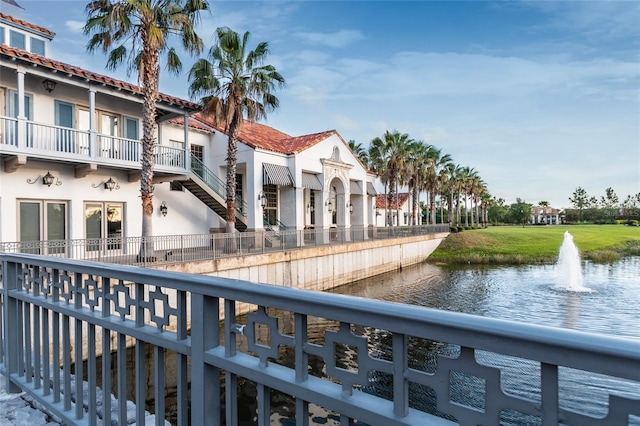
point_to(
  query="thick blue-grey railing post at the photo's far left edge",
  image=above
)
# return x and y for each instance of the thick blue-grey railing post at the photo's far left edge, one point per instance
(11, 324)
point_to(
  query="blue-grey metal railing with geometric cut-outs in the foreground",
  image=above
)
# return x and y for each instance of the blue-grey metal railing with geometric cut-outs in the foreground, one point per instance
(295, 354)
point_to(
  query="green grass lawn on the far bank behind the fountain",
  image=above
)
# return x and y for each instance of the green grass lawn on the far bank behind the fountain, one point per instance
(537, 244)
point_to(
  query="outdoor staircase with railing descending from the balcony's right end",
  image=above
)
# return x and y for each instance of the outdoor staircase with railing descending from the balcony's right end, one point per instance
(212, 191)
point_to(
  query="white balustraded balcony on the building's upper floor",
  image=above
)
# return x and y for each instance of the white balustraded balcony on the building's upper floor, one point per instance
(20, 139)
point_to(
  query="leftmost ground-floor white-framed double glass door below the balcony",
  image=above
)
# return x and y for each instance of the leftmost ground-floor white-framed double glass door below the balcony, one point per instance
(43, 218)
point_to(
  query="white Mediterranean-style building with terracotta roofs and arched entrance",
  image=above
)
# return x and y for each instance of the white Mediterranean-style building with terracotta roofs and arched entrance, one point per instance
(70, 159)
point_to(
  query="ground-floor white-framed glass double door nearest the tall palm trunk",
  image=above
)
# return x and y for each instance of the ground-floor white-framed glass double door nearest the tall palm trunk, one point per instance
(103, 226)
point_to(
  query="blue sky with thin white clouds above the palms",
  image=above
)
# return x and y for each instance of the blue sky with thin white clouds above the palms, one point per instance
(538, 97)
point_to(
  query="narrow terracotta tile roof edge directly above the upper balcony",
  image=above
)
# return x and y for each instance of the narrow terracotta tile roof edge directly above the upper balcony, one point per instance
(73, 70)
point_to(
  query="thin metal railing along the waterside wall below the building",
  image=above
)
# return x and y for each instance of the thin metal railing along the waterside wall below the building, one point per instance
(169, 249)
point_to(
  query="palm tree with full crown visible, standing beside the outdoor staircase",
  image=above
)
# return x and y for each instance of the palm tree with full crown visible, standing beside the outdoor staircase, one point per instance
(234, 86)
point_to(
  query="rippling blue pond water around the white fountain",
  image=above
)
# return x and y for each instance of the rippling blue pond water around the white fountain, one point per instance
(603, 299)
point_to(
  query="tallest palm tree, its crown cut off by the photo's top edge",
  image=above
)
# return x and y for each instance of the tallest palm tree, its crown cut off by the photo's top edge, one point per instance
(148, 26)
